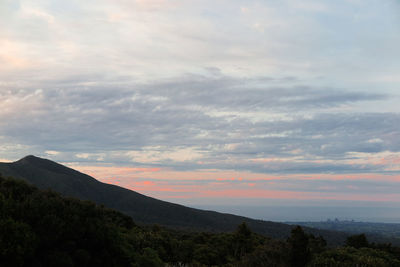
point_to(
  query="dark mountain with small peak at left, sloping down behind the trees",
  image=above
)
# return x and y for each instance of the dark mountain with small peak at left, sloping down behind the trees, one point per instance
(47, 174)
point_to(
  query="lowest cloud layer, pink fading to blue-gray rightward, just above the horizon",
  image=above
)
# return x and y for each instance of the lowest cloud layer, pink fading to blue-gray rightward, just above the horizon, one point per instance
(228, 184)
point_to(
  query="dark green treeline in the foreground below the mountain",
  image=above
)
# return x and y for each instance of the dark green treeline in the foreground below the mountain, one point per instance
(42, 228)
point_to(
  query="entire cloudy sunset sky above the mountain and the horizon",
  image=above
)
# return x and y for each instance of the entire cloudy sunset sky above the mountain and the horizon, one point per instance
(209, 102)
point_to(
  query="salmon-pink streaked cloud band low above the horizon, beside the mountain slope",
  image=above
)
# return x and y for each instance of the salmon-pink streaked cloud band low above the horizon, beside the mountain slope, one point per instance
(164, 184)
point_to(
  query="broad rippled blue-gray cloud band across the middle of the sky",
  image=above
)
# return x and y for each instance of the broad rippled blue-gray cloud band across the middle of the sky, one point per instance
(226, 122)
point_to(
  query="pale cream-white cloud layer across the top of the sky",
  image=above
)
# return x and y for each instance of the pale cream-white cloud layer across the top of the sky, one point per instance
(127, 38)
